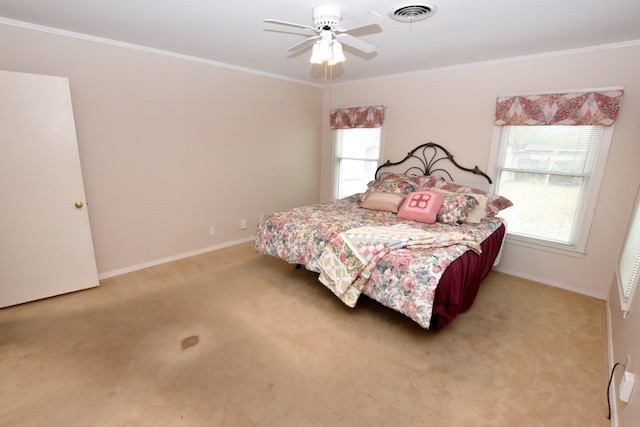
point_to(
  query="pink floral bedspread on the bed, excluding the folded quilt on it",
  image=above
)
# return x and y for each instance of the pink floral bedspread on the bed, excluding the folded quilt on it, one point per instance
(404, 277)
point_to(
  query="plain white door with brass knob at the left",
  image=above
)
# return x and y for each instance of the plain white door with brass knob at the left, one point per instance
(45, 239)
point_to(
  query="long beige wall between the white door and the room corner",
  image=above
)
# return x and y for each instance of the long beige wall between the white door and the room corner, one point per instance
(169, 147)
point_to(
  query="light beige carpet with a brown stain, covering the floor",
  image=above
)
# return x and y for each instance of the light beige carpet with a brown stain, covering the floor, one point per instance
(233, 338)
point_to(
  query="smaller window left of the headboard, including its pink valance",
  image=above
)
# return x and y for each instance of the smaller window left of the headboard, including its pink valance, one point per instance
(357, 138)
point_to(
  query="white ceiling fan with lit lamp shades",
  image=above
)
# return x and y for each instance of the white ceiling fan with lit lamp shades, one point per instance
(329, 32)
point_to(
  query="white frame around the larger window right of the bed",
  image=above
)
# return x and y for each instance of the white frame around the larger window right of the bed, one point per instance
(578, 249)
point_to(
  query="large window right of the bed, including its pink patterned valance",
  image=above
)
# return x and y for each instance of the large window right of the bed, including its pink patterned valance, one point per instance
(549, 154)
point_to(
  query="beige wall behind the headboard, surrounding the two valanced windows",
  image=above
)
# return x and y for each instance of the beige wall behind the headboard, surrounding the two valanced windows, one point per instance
(455, 108)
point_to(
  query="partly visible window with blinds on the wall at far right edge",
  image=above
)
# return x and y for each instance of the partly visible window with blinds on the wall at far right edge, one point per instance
(629, 264)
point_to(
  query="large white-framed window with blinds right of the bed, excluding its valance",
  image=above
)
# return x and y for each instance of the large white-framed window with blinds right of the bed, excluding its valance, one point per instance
(552, 175)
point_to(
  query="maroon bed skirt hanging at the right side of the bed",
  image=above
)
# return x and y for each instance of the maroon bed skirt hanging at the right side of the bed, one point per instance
(461, 280)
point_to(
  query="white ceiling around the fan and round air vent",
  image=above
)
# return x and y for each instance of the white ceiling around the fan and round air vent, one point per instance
(233, 32)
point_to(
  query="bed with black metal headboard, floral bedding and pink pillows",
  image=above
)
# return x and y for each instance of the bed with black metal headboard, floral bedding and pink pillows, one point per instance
(414, 241)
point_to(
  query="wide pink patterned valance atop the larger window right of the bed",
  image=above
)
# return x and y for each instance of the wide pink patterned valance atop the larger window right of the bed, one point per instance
(572, 109)
